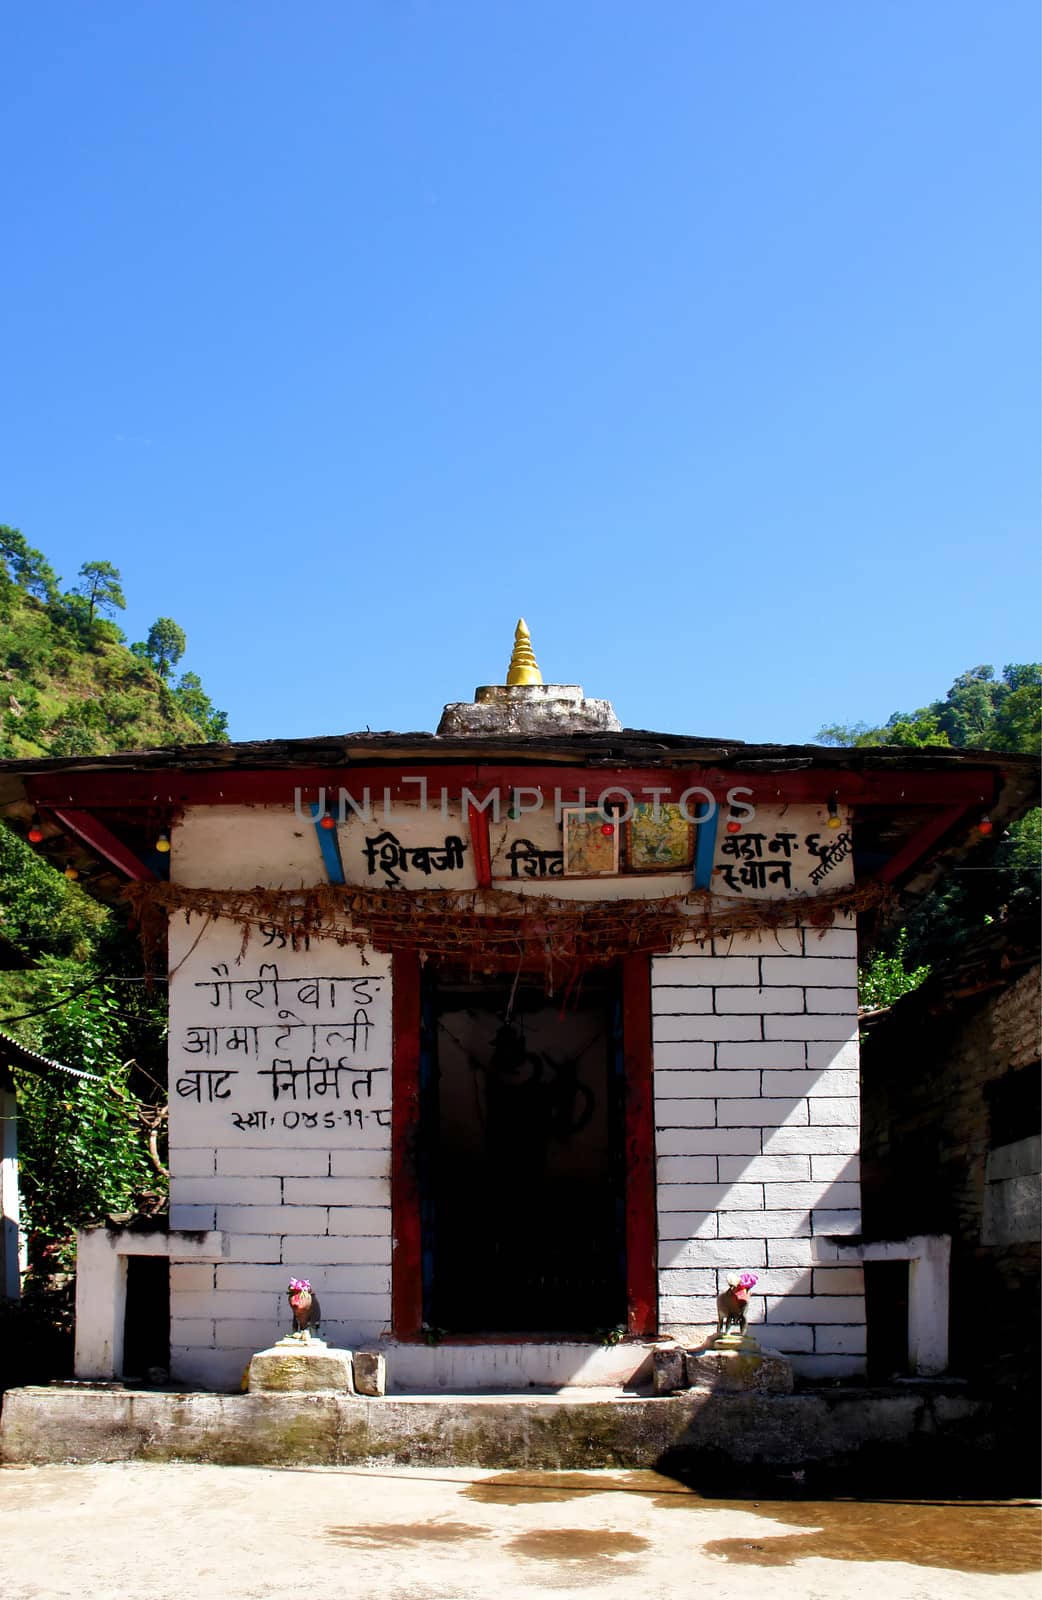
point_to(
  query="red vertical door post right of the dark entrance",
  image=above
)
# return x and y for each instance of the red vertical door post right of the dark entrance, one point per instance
(641, 1231)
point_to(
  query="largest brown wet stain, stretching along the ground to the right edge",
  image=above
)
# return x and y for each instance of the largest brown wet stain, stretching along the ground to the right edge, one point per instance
(968, 1537)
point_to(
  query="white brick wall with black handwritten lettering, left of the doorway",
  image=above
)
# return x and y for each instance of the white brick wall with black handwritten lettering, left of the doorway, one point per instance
(299, 1198)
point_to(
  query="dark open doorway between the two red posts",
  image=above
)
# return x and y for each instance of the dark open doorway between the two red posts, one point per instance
(521, 1158)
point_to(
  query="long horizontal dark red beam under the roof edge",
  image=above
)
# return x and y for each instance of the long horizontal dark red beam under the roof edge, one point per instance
(98, 791)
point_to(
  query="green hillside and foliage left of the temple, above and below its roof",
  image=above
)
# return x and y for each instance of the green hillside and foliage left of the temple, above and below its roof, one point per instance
(71, 978)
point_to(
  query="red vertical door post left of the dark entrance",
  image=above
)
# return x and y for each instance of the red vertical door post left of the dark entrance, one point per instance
(407, 1246)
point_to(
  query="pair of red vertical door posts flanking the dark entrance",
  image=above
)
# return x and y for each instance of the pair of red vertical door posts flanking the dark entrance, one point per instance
(639, 1143)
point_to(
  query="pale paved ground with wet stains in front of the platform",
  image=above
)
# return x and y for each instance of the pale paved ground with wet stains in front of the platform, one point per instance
(249, 1534)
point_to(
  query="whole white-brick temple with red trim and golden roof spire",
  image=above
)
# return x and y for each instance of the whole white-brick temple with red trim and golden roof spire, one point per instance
(515, 1039)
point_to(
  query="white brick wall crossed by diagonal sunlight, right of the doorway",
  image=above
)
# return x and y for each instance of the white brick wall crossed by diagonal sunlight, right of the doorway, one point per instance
(758, 1130)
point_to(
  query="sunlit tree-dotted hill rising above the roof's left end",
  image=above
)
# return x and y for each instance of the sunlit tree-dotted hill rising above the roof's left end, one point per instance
(71, 684)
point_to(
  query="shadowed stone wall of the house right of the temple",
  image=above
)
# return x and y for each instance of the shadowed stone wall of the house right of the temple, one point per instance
(952, 1146)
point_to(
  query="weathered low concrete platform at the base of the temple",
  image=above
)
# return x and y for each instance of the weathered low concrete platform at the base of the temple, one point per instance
(687, 1433)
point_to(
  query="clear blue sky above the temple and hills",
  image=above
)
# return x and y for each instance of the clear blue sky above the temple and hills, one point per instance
(705, 337)
